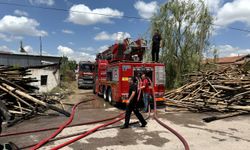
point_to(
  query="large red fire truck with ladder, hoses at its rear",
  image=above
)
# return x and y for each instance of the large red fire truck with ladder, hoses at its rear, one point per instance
(120, 61)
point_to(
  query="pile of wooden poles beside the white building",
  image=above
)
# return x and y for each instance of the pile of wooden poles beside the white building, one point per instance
(18, 100)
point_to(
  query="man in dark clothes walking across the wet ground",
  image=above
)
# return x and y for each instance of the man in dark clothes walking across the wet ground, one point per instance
(132, 104)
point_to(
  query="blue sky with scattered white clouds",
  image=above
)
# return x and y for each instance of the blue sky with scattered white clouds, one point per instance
(80, 29)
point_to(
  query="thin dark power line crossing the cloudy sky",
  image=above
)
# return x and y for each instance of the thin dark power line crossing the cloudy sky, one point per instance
(107, 15)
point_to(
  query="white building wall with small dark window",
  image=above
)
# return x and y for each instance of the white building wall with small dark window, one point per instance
(53, 79)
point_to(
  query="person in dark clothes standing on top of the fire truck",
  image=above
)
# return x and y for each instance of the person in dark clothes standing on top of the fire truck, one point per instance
(156, 40)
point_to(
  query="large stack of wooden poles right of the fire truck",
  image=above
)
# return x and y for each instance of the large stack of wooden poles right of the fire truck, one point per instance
(225, 90)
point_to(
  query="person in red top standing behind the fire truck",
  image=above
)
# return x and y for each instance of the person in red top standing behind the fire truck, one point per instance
(145, 91)
